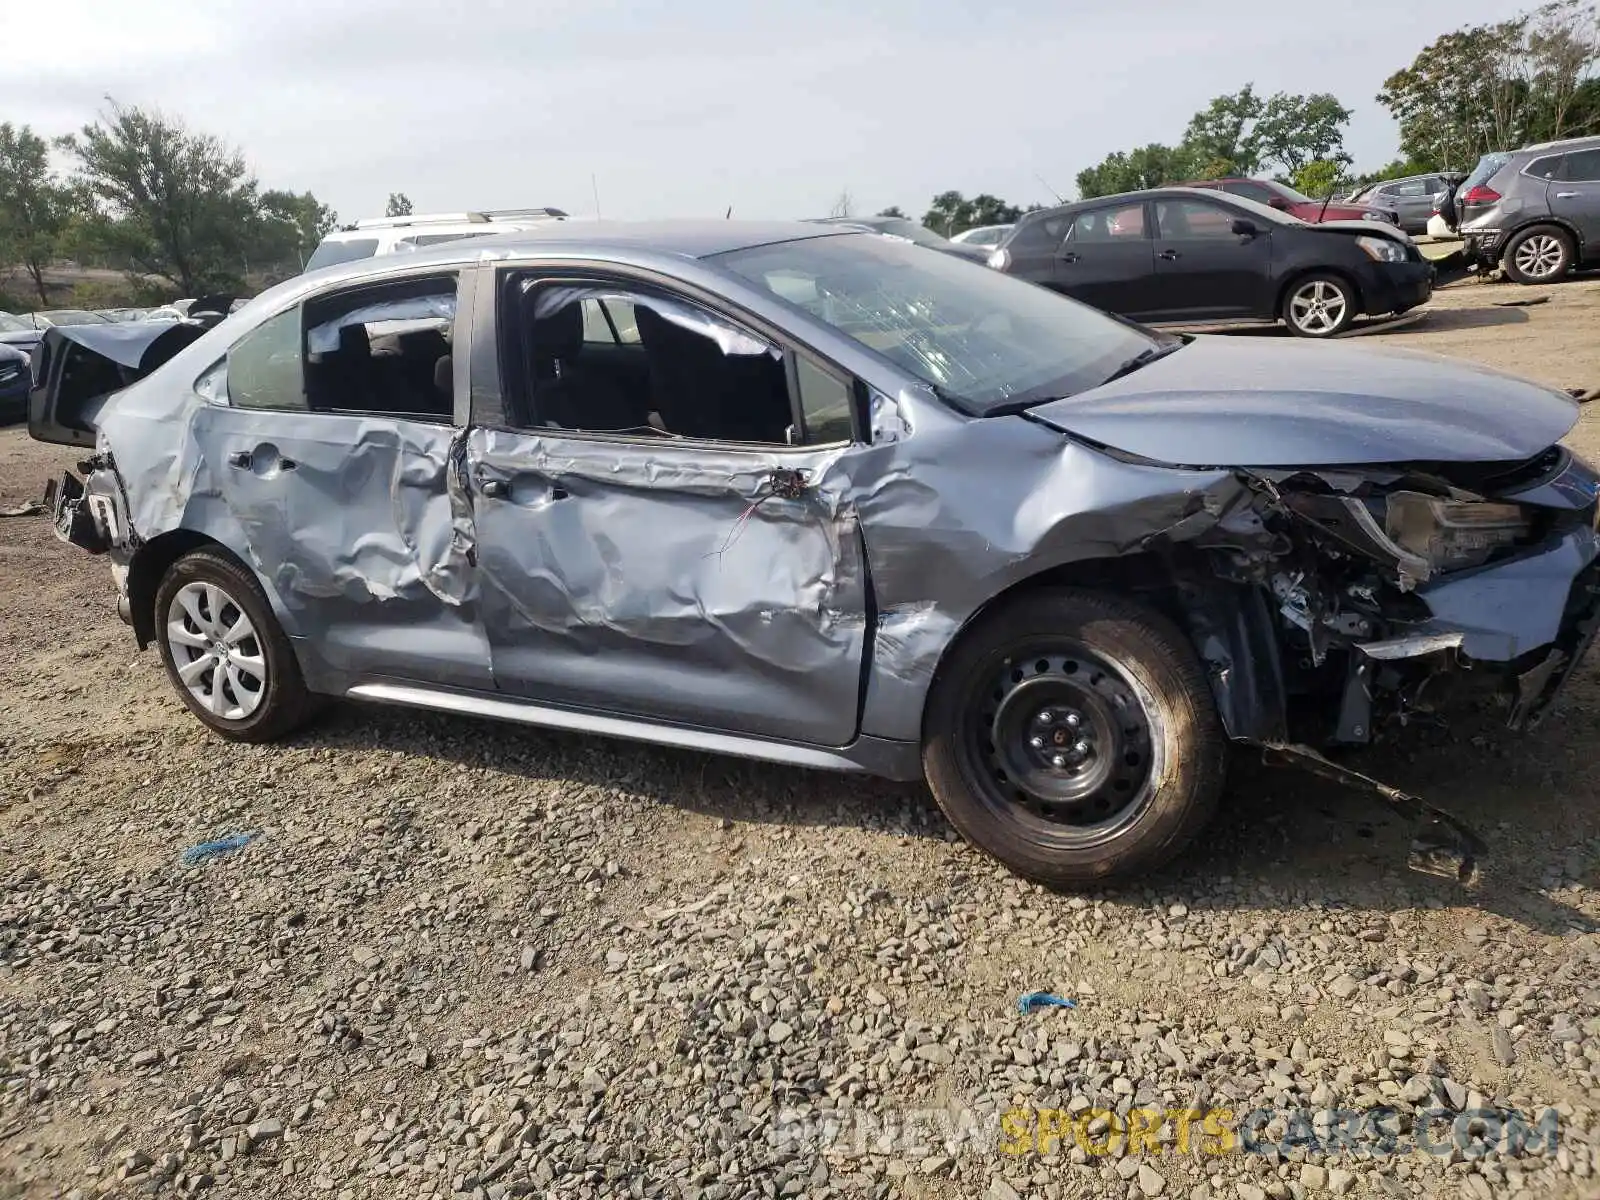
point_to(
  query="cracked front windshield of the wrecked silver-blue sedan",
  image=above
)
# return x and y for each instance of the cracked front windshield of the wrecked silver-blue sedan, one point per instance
(982, 340)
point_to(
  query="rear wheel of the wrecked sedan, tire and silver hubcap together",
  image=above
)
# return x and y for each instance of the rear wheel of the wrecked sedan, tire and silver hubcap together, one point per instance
(226, 654)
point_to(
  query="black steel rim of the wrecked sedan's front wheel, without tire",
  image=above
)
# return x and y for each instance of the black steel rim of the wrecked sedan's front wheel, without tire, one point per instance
(1063, 738)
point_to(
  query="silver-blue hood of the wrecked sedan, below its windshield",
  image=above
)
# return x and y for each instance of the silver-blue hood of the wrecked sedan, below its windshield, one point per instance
(1268, 402)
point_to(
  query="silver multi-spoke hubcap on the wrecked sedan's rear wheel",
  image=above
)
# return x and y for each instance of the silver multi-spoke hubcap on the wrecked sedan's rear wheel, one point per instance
(217, 652)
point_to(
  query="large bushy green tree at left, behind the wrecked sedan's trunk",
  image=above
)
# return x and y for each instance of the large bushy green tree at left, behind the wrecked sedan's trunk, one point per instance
(177, 204)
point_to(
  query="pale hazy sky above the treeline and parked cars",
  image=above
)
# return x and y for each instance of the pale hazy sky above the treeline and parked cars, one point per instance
(684, 110)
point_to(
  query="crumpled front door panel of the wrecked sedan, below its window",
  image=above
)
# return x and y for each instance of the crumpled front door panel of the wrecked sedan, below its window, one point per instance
(721, 588)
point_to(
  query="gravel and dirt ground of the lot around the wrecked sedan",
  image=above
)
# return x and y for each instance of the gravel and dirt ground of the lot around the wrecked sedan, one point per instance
(463, 959)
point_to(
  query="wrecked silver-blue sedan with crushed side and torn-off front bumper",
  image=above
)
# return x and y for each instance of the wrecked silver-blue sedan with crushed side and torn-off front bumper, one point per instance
(831, 500)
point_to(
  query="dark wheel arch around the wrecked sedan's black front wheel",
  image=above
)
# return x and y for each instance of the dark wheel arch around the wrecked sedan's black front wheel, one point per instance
(1228, 625)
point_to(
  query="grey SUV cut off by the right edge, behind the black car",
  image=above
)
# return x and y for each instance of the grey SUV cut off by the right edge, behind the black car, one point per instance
(1534, 212)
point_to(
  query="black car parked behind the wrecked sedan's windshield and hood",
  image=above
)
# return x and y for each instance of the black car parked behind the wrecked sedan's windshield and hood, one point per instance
(1188, 257)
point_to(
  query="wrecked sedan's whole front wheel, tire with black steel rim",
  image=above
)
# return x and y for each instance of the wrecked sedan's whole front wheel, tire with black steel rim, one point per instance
(1074, 737)
